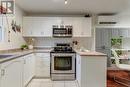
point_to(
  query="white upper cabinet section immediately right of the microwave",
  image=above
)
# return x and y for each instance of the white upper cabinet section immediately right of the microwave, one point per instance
(82, 27)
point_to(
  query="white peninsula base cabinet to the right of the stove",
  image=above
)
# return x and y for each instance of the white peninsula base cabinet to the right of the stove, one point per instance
(91, 71)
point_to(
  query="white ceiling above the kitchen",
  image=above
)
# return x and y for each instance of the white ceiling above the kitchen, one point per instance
(73, 6)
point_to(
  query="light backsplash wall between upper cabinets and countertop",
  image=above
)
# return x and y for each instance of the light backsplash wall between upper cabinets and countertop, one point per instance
(50, 42)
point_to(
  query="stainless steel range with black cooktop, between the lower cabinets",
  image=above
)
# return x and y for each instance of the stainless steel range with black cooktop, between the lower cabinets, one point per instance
(63, 62)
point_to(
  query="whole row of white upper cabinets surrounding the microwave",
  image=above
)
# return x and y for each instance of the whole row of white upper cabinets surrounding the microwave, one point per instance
(42, 26)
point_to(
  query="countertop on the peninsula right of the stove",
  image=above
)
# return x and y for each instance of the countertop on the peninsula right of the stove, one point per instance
(90, 53)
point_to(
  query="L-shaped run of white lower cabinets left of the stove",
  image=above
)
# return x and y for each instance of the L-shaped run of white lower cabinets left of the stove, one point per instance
(18, 72)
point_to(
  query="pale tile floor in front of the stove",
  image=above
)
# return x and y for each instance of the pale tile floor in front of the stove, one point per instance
(49, 83)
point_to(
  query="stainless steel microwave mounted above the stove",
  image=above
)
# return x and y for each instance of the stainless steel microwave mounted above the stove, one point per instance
(62, 31)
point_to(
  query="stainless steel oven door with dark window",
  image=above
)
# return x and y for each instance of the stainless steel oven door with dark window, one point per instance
(63, 63)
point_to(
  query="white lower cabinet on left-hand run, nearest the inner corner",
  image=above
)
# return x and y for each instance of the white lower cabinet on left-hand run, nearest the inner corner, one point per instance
(29, 68)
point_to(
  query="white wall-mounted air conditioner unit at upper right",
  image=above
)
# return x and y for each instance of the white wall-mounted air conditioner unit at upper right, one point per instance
(107, 20)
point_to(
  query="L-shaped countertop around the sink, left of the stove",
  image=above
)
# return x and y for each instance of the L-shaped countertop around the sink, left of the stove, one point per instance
(21, 53)
